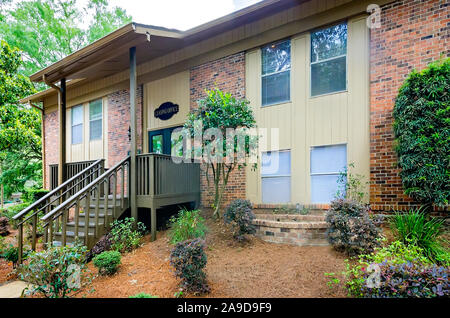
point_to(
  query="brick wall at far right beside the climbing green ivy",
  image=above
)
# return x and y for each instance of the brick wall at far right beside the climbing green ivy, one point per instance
(413, 33)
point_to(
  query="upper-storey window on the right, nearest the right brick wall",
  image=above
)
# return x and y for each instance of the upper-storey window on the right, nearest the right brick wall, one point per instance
(329, 60)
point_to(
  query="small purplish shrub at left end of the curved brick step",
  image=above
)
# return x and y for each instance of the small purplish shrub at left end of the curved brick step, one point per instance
(239, 213)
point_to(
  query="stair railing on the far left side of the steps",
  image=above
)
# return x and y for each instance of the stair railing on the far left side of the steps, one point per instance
(54, 197)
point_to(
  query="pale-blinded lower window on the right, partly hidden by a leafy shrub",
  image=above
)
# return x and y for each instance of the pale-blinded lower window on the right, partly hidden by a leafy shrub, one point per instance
(326, 164)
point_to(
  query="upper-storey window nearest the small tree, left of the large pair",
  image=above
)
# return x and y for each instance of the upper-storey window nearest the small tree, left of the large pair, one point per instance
(276, 73)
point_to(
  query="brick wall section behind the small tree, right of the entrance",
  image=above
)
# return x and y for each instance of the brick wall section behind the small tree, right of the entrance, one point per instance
(227, 74)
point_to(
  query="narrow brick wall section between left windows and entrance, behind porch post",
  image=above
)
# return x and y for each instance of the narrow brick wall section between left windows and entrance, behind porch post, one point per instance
(119, 122)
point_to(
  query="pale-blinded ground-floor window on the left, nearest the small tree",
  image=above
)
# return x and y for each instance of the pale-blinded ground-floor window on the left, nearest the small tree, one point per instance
(276, 177)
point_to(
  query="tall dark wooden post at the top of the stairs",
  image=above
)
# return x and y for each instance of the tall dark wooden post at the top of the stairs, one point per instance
(133, 89)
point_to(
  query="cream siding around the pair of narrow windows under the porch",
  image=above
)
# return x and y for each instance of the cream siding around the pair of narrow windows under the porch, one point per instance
(87, 150)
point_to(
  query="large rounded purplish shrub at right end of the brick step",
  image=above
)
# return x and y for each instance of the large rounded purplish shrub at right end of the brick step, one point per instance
(351, 230)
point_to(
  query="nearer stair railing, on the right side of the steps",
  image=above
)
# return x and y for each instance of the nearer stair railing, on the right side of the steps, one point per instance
(105, 185)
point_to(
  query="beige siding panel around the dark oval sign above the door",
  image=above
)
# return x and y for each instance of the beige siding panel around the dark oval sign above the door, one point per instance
(175, 89)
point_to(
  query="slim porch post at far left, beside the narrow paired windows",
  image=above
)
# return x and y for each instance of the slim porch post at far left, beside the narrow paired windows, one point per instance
(62, 132)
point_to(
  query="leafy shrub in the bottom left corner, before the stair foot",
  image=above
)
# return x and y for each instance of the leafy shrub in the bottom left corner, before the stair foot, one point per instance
(55, 272)
